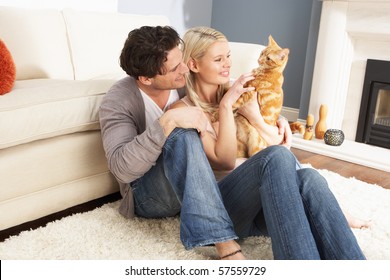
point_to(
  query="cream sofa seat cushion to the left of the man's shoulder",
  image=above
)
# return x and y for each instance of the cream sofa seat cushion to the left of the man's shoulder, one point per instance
(42, 108)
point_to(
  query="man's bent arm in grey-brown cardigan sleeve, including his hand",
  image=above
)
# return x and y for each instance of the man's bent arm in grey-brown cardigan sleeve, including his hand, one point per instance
(130, 151)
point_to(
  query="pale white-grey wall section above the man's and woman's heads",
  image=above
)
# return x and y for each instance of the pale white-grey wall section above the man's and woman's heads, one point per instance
(182, 14)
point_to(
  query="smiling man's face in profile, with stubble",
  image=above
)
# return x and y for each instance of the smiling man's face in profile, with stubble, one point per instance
(175, 71)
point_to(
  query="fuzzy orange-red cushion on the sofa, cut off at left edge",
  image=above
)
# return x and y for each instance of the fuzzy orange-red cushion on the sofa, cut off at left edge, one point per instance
(7, 70)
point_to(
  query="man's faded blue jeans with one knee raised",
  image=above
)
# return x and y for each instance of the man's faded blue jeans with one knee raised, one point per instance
(182, 181)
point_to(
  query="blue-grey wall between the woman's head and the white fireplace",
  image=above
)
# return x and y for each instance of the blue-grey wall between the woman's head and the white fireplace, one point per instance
(292, 23)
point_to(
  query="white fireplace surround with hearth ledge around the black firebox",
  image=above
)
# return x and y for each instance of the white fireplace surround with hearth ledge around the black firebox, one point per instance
(351, 31)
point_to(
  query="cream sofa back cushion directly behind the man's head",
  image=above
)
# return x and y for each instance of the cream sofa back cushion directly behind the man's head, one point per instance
(96, 40)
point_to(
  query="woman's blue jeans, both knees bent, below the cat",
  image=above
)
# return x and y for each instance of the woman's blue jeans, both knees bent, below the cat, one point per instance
(269, 194)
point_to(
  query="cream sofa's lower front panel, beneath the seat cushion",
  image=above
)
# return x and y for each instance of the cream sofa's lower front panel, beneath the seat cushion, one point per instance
(50, 175)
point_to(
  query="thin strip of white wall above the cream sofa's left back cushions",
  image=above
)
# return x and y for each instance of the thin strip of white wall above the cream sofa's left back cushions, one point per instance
(85, 5)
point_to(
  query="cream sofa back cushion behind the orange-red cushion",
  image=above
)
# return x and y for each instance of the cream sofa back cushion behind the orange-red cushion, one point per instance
(38, 42)
